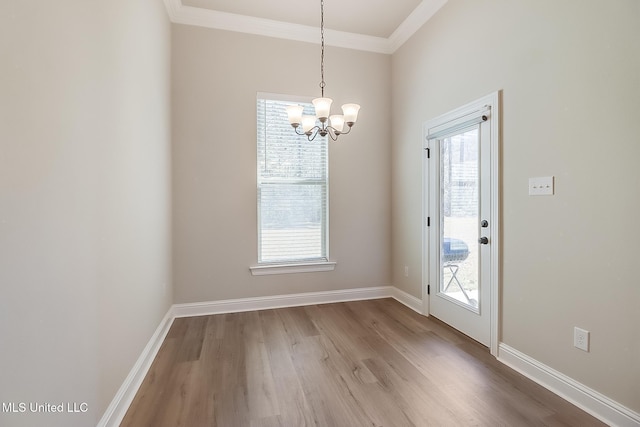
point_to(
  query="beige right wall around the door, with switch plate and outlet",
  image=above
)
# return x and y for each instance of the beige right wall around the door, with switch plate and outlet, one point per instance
(570, 75)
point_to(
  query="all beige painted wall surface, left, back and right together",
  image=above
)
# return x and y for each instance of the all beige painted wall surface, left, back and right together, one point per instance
(85, 201)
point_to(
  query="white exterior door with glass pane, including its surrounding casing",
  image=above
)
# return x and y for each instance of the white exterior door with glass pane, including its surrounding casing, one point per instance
(461, 222)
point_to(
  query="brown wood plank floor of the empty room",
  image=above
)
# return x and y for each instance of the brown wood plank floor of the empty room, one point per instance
(364, 363)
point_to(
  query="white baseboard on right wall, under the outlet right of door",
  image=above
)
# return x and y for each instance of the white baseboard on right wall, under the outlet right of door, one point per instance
(585, 398)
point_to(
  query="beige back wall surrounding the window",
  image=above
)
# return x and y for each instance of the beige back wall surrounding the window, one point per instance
(215, 76)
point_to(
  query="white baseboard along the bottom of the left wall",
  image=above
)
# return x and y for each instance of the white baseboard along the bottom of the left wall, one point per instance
(120, 404)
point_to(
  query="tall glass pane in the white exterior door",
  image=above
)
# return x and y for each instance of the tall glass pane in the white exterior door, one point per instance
(459, 208)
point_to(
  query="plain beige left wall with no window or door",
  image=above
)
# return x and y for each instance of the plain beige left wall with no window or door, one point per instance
(84, 199)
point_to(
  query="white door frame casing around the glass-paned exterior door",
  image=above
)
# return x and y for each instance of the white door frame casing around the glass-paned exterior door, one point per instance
(493, 102)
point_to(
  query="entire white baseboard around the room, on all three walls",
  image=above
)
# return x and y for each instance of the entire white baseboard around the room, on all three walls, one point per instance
(580, 395)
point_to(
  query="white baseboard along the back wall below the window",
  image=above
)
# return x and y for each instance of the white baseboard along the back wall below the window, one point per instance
(280, 301)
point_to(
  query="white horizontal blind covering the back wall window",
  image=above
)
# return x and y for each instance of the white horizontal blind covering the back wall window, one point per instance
(292, 188)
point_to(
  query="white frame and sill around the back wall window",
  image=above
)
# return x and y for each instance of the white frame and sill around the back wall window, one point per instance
(293, 265)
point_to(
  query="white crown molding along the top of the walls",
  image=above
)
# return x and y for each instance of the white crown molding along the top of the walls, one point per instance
(188, 15)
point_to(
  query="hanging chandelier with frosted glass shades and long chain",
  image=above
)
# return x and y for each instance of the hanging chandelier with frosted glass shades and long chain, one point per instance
(332, 125)
